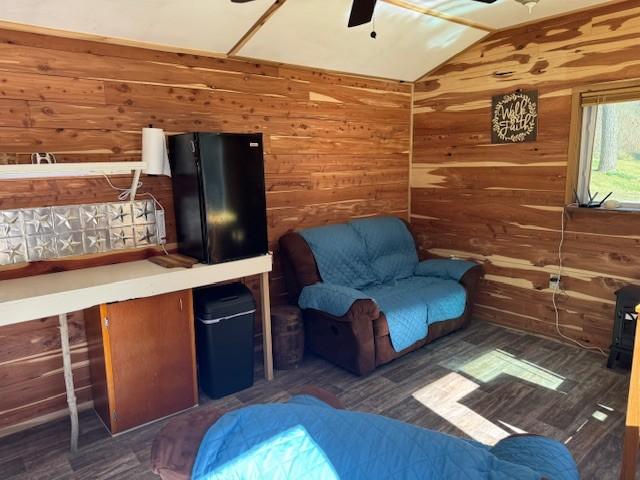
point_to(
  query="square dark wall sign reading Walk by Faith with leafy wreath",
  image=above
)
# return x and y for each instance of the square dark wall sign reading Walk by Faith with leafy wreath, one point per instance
(514, 117)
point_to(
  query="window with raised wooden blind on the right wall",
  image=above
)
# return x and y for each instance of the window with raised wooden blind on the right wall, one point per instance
(609, 150)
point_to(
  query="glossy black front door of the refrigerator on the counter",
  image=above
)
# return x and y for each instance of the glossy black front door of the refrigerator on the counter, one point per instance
(232, 171)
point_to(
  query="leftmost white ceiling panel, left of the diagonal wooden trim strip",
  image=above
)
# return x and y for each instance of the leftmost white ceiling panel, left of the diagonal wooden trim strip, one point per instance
(209, 25)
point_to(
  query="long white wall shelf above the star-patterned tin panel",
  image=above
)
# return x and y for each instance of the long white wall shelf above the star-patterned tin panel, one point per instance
(68, 169)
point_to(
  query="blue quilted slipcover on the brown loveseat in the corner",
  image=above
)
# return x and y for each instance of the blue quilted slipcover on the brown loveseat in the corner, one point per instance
(376, 258)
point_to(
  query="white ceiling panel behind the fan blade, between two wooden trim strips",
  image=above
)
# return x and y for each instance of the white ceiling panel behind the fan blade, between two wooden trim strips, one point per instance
(407, 42)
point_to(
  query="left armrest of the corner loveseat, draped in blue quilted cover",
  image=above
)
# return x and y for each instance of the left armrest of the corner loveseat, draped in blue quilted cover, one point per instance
(338, 301)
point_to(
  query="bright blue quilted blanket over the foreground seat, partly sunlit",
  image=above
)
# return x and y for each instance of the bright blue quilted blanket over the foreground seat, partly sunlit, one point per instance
(305, 436)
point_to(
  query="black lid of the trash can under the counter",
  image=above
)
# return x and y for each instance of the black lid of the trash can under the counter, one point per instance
(222, 301)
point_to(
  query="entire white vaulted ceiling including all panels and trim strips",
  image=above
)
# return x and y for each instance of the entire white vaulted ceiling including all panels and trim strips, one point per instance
(413, 36)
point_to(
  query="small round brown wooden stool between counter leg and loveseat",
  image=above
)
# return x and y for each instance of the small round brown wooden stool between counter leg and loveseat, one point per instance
(288, 336)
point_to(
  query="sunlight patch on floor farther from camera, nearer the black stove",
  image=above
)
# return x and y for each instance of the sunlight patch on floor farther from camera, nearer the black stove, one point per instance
(489, 366)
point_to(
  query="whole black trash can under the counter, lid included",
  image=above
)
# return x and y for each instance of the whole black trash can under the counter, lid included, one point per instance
(224, 338)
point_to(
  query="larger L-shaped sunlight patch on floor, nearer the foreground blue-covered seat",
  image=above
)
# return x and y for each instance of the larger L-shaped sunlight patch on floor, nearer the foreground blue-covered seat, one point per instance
(443, 397)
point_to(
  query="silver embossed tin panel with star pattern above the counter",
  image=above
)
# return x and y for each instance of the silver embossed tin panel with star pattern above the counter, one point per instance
(32, 234)
